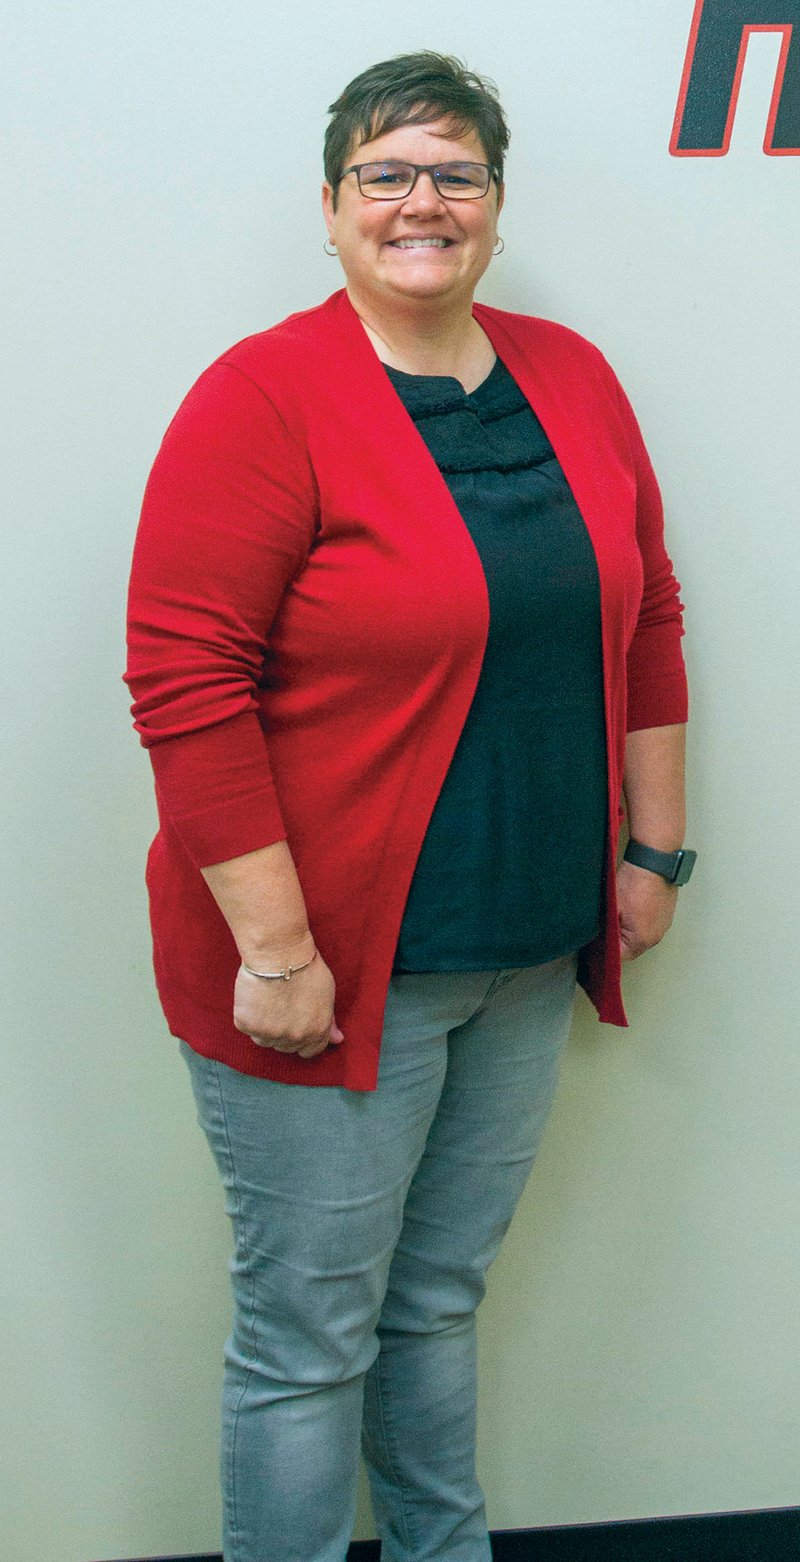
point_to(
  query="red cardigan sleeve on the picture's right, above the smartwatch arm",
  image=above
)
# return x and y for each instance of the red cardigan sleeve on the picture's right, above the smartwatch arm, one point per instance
(655, 668)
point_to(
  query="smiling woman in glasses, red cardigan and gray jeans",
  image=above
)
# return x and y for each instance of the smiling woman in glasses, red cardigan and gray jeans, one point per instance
(402, 633)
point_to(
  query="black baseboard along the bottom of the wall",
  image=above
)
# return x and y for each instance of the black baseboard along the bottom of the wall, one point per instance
(771, 1535)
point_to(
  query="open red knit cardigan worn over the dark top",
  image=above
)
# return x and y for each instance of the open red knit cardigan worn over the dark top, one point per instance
(309, 618)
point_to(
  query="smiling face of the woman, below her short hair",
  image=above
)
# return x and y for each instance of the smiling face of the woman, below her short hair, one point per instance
(373, 237)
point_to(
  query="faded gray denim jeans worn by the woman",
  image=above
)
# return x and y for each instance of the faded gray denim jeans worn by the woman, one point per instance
(363, 1230)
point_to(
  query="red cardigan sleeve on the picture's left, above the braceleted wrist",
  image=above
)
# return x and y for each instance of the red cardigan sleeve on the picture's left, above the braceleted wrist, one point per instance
(227, 521)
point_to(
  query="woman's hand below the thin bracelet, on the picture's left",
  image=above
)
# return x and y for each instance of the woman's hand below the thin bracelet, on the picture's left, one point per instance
(291, 1016)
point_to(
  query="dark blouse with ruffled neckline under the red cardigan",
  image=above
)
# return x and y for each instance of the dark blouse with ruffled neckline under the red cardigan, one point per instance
(510, 871)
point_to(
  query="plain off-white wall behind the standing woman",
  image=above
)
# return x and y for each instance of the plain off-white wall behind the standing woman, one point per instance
(640, 1338)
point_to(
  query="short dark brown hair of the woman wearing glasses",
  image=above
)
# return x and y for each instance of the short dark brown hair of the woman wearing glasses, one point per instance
(413, 90)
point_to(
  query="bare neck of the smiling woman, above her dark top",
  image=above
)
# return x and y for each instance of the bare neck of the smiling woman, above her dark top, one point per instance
(427, 341)
